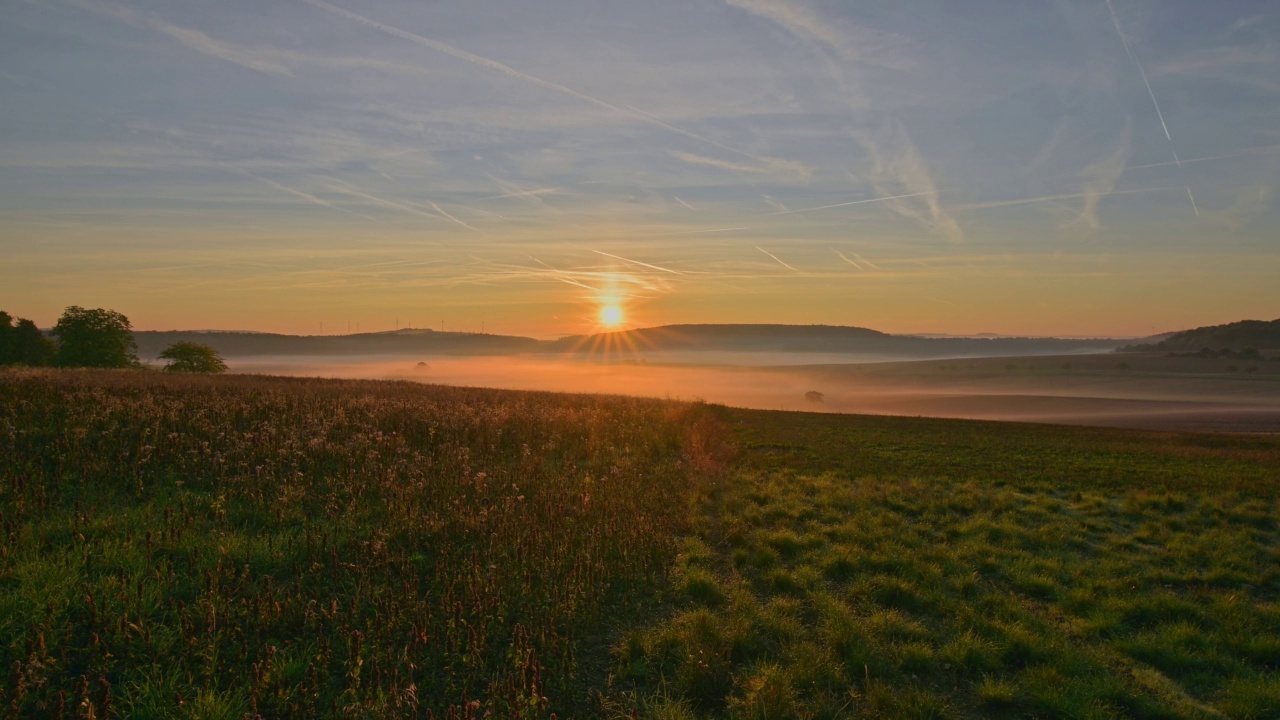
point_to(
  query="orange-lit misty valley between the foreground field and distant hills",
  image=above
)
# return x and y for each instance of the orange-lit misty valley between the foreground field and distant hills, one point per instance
(1076, 390)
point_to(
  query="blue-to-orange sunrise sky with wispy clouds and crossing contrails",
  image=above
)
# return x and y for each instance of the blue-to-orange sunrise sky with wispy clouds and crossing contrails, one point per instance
(1062, 167)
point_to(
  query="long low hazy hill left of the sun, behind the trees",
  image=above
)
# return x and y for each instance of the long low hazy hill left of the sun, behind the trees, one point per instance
(400, 343)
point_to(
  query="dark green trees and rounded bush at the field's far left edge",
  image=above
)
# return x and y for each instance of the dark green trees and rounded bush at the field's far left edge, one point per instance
(93, 339)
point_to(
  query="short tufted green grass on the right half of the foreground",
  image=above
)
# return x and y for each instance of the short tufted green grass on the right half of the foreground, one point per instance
(907, 568)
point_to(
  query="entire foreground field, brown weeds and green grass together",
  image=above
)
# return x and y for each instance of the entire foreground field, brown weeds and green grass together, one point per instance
(246, 546)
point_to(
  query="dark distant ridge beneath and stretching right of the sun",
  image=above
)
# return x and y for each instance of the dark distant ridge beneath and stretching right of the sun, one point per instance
(821, 339)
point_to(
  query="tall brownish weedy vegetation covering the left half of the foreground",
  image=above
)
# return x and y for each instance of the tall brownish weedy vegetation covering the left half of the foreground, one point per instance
(243, 546)
